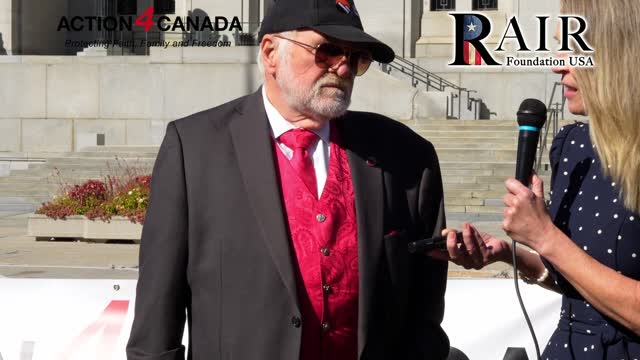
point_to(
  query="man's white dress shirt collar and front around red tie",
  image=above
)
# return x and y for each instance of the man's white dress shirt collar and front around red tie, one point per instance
(319, 151)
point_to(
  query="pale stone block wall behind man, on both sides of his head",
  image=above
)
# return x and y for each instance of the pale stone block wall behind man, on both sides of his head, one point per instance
(59, 103)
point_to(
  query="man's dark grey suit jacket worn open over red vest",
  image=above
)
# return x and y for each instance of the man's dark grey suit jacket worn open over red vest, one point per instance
(215, 249)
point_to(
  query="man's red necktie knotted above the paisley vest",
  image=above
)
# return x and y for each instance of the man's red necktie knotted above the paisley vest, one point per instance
(300, 140)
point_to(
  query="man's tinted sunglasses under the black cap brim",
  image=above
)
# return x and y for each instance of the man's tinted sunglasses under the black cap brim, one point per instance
(328, 55)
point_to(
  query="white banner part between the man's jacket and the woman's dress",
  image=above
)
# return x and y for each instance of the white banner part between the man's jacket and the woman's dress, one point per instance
(483, 317)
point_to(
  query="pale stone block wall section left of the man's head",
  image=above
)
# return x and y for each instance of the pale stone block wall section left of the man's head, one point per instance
(51, 104)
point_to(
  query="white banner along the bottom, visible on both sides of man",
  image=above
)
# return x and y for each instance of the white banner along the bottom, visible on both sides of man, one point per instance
(45, 319)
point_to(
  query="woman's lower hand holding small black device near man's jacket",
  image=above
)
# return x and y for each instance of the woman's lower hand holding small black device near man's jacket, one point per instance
(475, 251)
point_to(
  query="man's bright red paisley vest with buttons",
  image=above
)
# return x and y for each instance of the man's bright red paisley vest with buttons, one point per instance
(323, 235)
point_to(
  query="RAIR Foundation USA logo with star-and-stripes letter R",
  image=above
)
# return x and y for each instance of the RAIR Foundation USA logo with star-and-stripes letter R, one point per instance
(473, 29)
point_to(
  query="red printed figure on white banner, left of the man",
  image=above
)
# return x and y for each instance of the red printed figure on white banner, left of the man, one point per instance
(111, 320)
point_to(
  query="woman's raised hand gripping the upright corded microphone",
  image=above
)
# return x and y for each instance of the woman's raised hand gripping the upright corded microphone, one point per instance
(526, 219)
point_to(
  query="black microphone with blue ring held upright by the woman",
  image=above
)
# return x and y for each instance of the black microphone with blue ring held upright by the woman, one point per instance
(531, 118)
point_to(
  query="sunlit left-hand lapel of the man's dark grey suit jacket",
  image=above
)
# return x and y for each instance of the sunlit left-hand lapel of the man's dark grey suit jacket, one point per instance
(254, 150)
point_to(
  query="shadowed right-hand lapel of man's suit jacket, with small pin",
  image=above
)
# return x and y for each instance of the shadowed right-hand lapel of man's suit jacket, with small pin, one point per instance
(368, 188)
